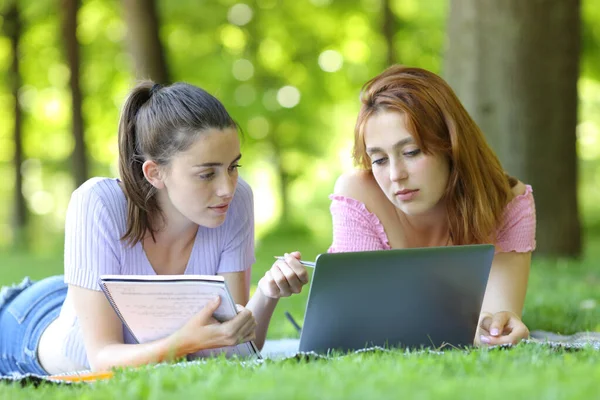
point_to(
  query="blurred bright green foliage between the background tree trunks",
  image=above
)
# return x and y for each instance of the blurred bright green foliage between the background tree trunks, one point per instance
(289, 72)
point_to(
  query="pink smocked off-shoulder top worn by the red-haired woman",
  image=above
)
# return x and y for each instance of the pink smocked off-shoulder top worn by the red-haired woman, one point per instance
(357, 229)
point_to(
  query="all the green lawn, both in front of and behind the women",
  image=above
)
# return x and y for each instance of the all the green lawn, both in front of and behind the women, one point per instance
(563, 296)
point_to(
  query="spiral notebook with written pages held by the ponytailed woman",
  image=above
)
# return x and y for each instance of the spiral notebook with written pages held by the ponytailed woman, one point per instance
(154, 306)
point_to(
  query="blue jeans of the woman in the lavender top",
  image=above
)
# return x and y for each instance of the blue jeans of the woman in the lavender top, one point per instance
(26, 310)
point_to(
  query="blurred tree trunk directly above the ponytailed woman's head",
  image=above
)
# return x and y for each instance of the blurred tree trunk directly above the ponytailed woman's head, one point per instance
(144, 40)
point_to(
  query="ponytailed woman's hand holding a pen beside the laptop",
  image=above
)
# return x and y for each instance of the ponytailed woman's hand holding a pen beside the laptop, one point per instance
(285, 277)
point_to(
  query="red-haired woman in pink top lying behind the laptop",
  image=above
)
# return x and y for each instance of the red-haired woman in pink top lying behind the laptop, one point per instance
(428, 178)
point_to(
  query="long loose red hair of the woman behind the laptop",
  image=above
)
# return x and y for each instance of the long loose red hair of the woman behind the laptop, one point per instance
(478, 189)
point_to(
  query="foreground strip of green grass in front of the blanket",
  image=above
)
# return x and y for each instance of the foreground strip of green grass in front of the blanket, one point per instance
(526, 372)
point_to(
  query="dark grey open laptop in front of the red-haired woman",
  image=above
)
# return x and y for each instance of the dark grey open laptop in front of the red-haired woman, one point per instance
(409, 298)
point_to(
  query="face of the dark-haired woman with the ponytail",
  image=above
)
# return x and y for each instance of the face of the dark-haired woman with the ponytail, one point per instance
(200, 182)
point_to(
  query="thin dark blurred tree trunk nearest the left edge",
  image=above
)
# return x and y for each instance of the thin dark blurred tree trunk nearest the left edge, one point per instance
(13, 31)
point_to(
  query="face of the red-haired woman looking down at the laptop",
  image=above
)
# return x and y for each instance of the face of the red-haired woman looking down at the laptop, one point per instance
(413, 181)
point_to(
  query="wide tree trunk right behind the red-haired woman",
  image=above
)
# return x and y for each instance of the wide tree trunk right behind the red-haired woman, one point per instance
(515, 64)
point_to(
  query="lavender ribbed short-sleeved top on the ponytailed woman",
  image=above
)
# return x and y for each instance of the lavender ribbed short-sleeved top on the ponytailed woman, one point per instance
(95, 222)
